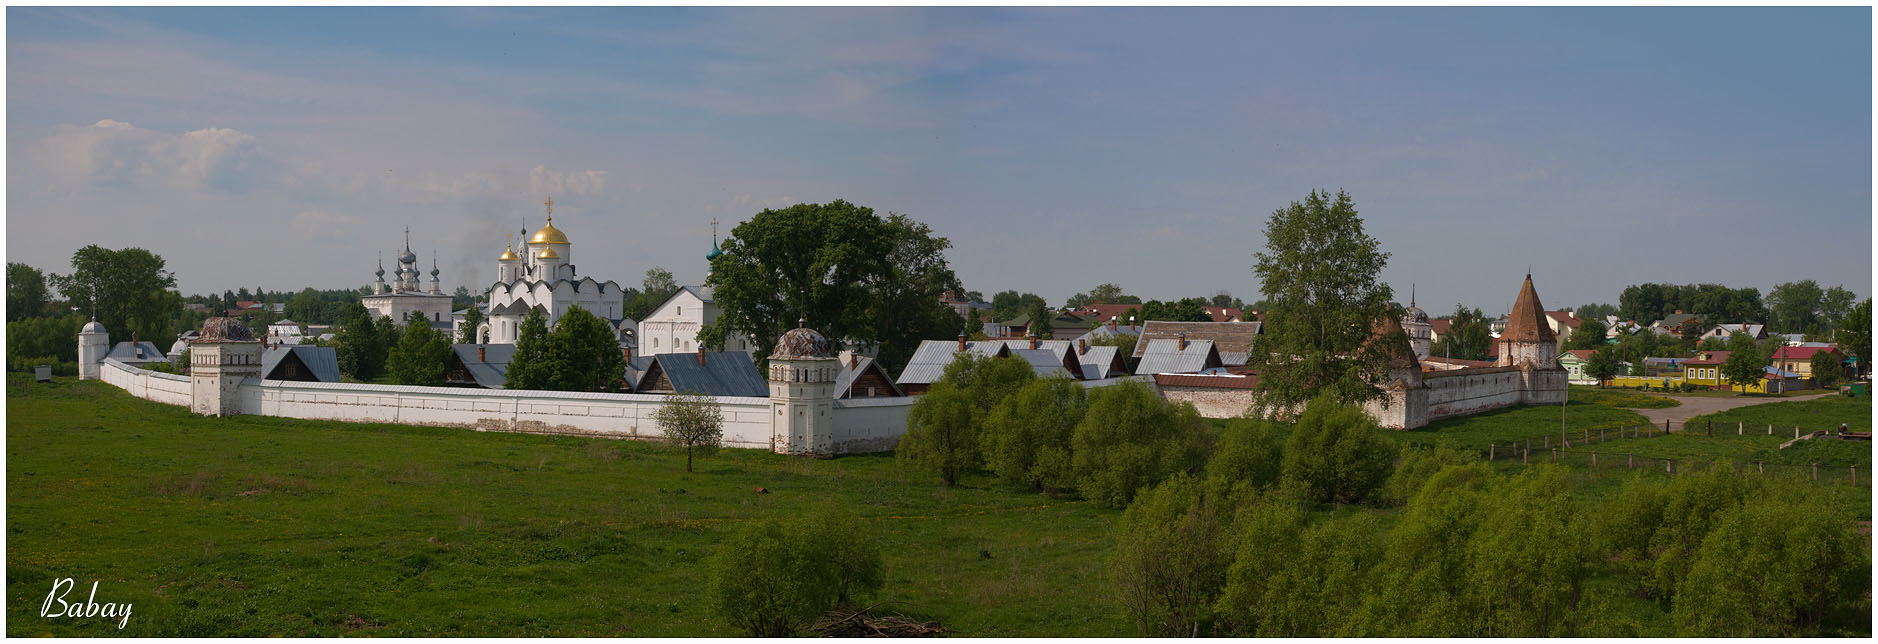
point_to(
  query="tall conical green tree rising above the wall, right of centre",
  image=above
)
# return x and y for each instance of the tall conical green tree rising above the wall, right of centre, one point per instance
(1321, 273)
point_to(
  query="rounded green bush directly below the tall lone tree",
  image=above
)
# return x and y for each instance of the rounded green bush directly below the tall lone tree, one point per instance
(1338, 453)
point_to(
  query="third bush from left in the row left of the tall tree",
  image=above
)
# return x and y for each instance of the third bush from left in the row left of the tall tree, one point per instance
(1131, 438)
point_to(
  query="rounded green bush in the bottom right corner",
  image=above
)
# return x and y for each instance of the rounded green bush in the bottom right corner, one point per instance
(1776, 566)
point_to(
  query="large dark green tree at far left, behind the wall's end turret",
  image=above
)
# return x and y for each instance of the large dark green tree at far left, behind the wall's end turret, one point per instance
(129, 290)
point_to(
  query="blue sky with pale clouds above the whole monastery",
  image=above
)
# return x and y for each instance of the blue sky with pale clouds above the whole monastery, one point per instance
(1056, 147)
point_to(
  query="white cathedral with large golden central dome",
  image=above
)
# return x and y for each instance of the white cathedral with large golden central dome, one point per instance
(544, 277)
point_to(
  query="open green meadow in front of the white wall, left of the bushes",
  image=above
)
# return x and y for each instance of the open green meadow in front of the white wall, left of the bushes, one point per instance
(277, 527)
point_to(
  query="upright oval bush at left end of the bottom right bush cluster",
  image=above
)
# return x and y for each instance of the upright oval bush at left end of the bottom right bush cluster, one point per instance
(1171, 559)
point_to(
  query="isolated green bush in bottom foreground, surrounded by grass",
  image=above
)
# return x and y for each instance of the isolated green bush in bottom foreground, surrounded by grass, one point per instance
(771, 579)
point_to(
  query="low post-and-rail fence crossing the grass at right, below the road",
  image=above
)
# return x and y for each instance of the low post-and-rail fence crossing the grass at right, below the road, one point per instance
(1575, 450)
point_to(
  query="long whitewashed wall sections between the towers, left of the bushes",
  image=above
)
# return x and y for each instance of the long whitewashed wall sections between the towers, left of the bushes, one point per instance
(859, 425)
